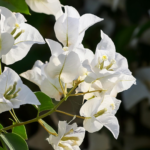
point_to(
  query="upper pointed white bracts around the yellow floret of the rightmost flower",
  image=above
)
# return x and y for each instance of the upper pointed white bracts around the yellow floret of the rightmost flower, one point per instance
(106, 57)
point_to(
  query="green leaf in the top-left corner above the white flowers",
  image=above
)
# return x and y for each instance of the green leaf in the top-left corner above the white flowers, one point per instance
(15, 5)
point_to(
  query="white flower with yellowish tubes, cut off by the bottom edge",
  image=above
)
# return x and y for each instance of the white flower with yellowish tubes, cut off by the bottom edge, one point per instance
(69, 137)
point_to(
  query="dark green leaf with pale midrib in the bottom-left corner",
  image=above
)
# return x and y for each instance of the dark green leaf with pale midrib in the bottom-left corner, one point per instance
(14, 141)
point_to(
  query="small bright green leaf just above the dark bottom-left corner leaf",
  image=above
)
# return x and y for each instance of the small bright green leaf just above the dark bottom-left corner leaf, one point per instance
(20, 130)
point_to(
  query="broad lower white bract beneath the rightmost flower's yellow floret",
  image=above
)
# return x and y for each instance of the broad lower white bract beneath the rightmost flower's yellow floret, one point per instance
(112, 83)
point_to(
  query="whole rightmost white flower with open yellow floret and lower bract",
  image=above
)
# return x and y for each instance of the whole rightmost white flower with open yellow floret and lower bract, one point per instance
(107, 65)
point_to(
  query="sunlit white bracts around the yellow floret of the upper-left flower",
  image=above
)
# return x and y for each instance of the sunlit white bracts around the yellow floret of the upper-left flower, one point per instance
(24, 36)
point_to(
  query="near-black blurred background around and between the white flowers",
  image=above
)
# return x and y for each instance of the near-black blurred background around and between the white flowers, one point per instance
(128, 24)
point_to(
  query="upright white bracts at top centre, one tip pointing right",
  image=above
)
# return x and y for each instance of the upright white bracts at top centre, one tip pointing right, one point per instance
(70, 27)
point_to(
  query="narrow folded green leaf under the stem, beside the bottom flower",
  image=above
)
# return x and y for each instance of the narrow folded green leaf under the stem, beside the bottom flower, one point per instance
(47, 127)
